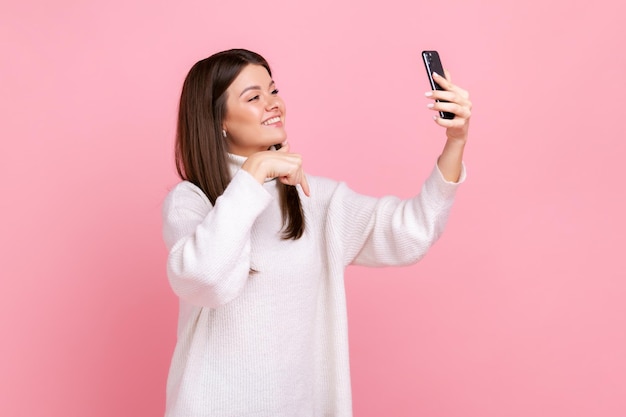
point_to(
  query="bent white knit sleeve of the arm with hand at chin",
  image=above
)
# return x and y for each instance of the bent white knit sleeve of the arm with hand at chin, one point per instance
(209, 246)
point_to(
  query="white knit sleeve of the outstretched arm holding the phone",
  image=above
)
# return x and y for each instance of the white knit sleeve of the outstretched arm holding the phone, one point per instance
(389, 231)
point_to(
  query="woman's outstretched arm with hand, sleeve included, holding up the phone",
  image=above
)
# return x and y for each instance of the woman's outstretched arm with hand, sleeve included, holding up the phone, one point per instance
(388, 231)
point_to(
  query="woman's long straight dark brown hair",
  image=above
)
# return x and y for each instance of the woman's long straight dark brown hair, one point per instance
(201, 152)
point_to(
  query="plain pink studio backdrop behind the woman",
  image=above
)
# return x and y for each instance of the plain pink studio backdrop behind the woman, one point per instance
(520, 309)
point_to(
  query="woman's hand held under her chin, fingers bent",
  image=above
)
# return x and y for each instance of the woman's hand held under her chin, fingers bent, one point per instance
(280, 164)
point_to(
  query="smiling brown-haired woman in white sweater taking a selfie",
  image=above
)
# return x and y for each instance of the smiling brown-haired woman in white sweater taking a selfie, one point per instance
(257, 250)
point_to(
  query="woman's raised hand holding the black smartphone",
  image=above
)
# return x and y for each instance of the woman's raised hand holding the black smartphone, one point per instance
(458, 103)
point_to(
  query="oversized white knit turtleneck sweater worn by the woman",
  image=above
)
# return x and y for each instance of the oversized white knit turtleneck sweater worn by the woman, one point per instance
(275, 343)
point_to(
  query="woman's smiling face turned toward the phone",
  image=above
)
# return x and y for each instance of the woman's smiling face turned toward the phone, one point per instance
(255, 114)
